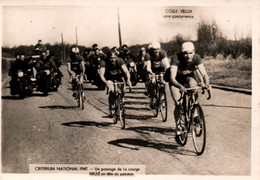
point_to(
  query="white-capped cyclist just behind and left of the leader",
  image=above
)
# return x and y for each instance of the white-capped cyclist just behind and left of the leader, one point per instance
(156, 62)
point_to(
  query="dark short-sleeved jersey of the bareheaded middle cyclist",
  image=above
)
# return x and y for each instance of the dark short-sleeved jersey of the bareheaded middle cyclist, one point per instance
(113, 71)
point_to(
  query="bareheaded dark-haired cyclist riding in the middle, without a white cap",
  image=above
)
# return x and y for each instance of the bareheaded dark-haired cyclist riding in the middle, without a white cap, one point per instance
(111, 69)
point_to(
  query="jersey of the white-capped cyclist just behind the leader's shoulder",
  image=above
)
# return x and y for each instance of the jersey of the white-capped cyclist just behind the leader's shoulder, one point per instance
(156, 61)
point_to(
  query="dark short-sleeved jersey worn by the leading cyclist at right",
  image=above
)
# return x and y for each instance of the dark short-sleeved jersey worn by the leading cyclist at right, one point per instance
(184, 67)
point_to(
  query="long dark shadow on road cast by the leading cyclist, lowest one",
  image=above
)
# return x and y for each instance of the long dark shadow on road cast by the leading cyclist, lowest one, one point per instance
(136, 144)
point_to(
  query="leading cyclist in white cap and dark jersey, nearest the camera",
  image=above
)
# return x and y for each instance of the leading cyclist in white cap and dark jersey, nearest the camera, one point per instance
(184, 74)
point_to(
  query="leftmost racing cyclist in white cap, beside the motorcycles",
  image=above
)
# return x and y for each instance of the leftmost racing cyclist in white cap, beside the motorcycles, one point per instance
(75, 66)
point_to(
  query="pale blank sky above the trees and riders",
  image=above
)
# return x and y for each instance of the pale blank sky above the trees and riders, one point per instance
(25, 25)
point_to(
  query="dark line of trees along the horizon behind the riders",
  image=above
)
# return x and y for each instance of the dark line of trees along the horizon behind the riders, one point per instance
(210, 42)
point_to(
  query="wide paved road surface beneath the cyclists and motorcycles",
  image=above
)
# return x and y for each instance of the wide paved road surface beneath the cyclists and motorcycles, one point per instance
(52, 130)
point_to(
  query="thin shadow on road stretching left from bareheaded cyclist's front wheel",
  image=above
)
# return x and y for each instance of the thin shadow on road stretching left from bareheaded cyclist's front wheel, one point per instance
(82, 124)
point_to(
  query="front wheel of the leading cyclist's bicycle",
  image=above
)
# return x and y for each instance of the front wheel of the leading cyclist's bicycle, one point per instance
(198, 129)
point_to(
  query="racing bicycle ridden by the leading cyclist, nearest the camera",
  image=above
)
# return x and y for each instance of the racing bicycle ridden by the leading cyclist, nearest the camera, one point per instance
(191, 119)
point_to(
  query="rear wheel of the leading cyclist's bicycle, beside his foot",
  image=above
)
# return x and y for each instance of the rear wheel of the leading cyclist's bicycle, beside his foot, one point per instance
(181, 138)
